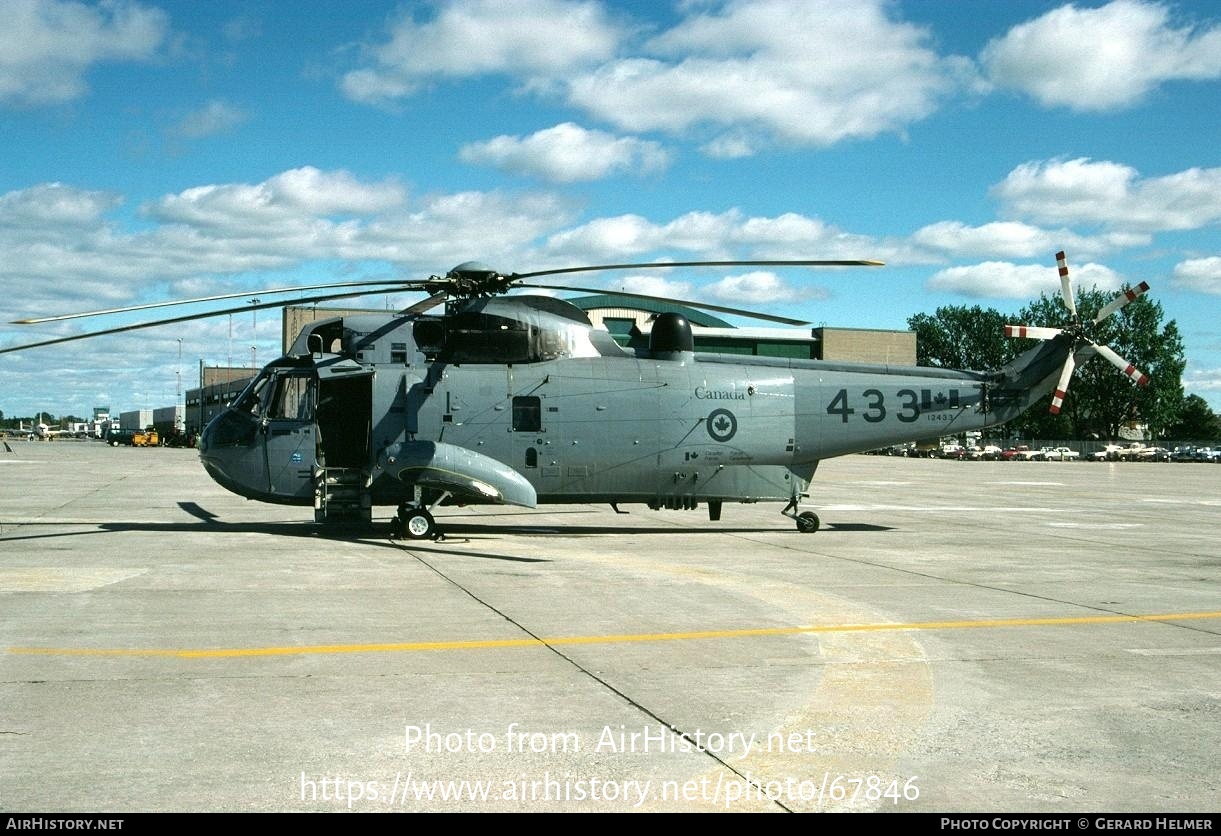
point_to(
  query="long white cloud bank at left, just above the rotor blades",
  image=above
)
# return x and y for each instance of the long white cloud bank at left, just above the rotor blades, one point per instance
(65, 252)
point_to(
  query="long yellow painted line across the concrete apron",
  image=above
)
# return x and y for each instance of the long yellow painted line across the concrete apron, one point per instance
(483, 645)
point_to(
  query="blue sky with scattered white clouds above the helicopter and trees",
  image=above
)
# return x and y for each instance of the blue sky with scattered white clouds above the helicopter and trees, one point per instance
(169, 151)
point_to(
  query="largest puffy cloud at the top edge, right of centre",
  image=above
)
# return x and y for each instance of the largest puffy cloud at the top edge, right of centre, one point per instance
(794, 71)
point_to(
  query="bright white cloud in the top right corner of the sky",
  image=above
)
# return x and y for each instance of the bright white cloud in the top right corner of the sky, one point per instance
(1101, 59)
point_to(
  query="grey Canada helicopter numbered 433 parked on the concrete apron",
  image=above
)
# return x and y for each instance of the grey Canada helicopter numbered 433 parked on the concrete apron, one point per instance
(521, 401)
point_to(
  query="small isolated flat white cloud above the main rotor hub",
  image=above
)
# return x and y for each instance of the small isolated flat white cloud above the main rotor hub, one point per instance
(568, 153)
